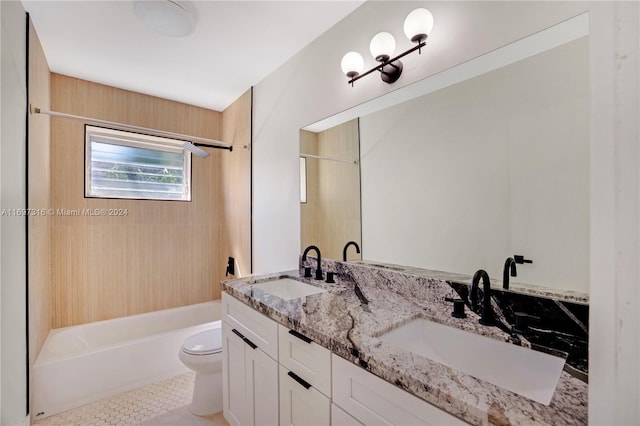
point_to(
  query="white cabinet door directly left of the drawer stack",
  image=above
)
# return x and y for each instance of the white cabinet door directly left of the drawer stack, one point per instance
(262, 374)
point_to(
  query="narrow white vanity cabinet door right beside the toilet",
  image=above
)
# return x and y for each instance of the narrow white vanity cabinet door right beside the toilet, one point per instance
(235, 384)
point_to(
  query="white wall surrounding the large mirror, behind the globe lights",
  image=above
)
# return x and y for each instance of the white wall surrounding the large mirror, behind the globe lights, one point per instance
(311, 87)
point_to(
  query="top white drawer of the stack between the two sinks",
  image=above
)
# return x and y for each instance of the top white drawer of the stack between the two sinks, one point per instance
(306, 358)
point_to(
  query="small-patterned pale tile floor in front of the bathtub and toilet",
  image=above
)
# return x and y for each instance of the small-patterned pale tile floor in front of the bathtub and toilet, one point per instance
(166, 400)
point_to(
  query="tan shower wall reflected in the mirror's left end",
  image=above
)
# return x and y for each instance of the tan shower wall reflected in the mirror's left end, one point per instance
(331, 215)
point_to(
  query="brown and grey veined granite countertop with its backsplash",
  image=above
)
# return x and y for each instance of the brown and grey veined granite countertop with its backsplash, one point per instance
(338, 321)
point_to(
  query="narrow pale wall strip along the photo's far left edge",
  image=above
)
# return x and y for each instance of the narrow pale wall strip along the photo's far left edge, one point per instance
(13, 228)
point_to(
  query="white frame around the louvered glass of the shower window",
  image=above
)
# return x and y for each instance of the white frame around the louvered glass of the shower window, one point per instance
(132, 139)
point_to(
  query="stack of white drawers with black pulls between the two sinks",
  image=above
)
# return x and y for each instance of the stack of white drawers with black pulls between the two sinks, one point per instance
(305, 380)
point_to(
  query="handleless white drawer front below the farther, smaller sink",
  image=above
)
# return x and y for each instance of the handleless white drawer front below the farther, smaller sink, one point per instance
(257, 328)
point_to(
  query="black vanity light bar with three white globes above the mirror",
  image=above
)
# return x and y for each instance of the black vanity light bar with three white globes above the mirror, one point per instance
(417, 27)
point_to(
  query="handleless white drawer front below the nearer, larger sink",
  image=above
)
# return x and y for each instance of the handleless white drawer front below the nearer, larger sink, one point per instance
(371, 400)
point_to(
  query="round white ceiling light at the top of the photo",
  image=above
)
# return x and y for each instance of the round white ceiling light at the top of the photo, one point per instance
(167, 17)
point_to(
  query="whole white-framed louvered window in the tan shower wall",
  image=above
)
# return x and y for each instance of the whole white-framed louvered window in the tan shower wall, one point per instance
(122, 164)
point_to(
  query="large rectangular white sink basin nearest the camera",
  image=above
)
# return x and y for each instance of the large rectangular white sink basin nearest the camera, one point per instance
(524, 371)
